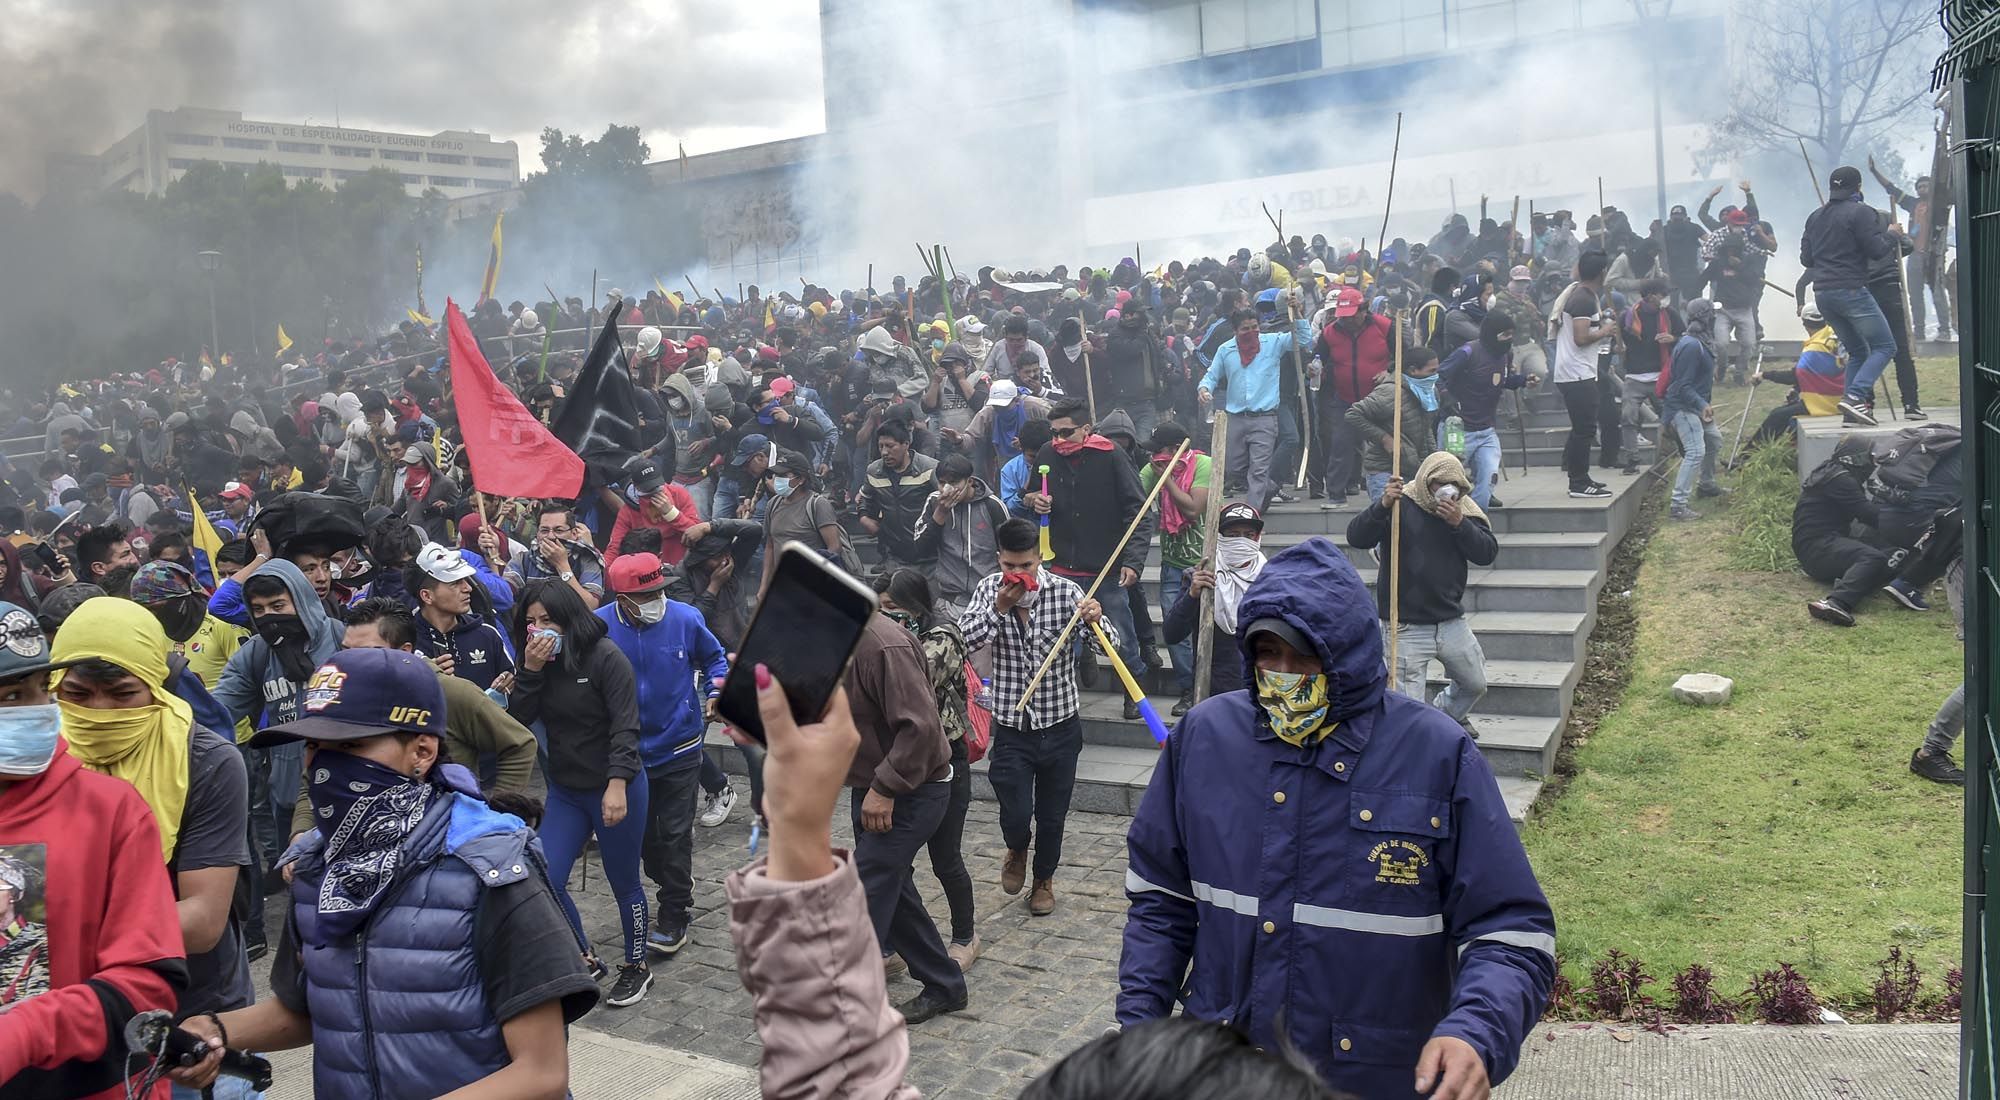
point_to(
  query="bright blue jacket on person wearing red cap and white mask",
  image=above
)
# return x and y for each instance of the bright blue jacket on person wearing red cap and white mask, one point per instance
(675, 663)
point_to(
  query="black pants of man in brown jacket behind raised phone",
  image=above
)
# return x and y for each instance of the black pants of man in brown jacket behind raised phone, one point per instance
(895, 907)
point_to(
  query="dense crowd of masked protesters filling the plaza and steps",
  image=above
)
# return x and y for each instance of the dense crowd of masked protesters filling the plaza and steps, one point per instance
(267, 597)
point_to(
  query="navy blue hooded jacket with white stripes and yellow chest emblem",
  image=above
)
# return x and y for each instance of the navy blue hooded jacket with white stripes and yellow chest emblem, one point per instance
(1369, 889)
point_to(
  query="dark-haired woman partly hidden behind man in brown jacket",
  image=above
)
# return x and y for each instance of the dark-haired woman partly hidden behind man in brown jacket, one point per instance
(907, 599)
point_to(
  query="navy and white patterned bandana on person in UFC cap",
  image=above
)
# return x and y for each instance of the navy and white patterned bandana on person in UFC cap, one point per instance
(365, 813)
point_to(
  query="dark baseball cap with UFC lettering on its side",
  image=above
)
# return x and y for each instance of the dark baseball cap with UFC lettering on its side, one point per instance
(361, 695)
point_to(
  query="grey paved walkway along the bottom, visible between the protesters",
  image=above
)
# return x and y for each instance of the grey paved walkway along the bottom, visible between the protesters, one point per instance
(1045, 987)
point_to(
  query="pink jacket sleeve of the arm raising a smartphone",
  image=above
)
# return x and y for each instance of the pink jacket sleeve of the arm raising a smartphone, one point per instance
(811, 963)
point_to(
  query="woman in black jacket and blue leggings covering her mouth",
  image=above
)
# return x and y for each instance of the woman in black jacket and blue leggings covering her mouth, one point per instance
(583, 691)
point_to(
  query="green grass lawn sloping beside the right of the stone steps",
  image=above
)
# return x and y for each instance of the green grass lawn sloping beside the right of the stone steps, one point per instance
(1785, 825)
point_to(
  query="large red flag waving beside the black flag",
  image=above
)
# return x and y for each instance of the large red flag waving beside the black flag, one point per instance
(511, 451)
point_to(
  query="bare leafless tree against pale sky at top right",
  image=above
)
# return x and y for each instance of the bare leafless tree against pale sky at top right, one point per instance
(1839, 75)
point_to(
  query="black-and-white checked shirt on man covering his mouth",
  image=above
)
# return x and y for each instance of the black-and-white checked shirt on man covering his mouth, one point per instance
(1021, 649)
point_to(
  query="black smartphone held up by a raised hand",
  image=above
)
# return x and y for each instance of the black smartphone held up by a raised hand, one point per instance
(805, 631)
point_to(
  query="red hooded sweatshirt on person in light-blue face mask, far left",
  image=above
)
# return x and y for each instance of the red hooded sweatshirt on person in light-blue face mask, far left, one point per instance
(111, 945)
